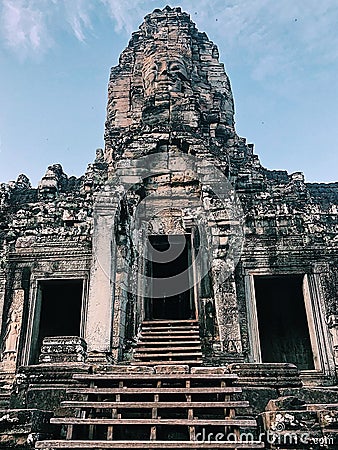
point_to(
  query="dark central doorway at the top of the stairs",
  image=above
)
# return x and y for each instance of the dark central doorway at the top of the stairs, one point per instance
(161, 305)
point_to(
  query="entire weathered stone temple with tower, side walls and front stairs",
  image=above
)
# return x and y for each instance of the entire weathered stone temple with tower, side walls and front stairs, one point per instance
(178, 290)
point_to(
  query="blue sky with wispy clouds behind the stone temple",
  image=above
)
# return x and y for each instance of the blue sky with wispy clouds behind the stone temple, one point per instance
(55, 57)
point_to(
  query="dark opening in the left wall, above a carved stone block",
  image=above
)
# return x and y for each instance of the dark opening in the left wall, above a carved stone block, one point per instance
(58, 310)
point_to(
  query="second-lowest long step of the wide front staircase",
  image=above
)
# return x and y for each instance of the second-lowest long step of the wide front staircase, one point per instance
(242, 423)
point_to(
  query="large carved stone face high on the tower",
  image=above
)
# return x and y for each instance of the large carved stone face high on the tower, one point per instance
(162, 75)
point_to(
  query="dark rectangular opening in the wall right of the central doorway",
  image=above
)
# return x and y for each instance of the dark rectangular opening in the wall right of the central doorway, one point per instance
(283, 327)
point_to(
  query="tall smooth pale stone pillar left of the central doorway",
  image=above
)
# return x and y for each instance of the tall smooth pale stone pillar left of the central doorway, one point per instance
(98, 332)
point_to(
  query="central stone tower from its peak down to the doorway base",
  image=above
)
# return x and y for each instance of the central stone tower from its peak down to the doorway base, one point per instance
(168, 129)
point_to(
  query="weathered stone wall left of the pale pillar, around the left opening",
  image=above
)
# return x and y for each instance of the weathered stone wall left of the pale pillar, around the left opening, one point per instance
(45, 234)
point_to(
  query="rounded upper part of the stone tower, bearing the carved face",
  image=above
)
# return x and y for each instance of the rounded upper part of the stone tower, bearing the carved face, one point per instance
(169, 80)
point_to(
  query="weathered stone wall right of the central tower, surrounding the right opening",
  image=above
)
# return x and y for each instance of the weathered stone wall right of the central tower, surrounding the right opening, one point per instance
(290, 227)
